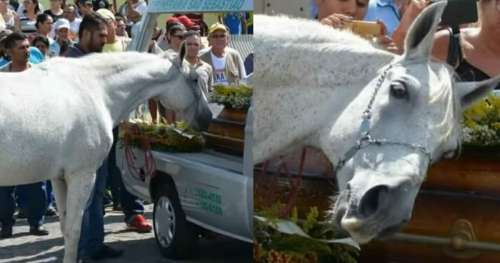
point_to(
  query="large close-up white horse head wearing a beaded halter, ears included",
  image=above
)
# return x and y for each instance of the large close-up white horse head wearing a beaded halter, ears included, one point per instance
(406, 118)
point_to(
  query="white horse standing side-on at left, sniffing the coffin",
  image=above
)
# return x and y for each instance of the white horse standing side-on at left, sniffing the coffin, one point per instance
(57, 118)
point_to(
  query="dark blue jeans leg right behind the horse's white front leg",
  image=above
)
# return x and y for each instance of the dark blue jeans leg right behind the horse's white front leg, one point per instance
(92, 232)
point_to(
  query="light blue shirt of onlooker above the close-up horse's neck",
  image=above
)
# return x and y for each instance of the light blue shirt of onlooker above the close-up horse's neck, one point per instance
(386, 11)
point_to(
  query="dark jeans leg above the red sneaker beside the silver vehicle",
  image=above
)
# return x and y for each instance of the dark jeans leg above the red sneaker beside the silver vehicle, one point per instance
(131, 204)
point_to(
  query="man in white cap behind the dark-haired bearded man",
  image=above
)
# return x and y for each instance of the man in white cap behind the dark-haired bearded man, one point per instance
(114, 42)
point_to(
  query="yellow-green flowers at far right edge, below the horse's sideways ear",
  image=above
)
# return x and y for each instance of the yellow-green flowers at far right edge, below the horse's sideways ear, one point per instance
(481, 123)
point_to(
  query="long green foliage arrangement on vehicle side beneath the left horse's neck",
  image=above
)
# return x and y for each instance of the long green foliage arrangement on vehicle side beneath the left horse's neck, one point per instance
(178, 137)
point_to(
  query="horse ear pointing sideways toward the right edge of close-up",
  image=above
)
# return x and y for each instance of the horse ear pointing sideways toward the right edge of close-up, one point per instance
(470, 92)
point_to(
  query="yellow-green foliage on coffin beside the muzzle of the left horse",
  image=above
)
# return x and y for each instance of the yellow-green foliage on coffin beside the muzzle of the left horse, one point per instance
(236, 97)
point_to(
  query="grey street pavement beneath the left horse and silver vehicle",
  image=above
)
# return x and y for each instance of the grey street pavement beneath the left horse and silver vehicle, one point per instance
(138, 248)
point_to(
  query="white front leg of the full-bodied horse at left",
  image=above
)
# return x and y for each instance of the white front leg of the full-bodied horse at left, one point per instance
(79, 188)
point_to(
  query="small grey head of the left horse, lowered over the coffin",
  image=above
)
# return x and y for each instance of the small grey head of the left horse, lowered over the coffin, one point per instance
(189, 99)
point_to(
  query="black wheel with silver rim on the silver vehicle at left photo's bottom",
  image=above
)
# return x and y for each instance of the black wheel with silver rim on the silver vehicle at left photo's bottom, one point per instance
(174, 235)
